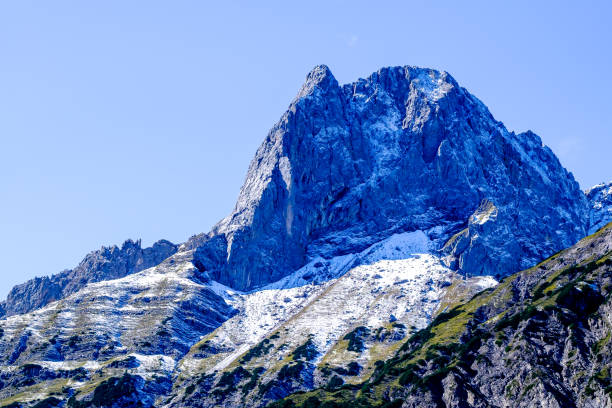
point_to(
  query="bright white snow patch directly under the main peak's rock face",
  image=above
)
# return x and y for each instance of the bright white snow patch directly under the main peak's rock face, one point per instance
(398, 278)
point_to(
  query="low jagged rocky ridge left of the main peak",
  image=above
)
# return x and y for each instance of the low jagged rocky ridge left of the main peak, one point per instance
(104, 264)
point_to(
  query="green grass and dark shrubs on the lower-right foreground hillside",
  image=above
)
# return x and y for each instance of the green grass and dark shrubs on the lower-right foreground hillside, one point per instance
(564, 292)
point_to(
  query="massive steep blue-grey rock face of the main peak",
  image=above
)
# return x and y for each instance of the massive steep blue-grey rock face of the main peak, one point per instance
(405, 149)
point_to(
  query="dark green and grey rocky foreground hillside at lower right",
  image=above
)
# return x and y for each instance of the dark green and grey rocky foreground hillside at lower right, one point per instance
(541, 338)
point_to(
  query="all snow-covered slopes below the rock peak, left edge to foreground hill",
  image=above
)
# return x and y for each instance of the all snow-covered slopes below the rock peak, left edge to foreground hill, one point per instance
(170, 324)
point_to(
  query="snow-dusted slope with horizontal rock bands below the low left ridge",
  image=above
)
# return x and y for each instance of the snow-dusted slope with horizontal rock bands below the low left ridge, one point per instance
(142, 323)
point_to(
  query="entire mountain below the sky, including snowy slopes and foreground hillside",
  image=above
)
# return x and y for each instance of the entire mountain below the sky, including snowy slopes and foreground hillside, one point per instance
(372, 259)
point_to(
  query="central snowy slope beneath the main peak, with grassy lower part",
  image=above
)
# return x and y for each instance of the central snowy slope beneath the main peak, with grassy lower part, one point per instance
(377, 296)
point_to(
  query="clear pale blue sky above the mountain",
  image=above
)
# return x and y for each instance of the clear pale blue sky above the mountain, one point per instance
(138, 119)
